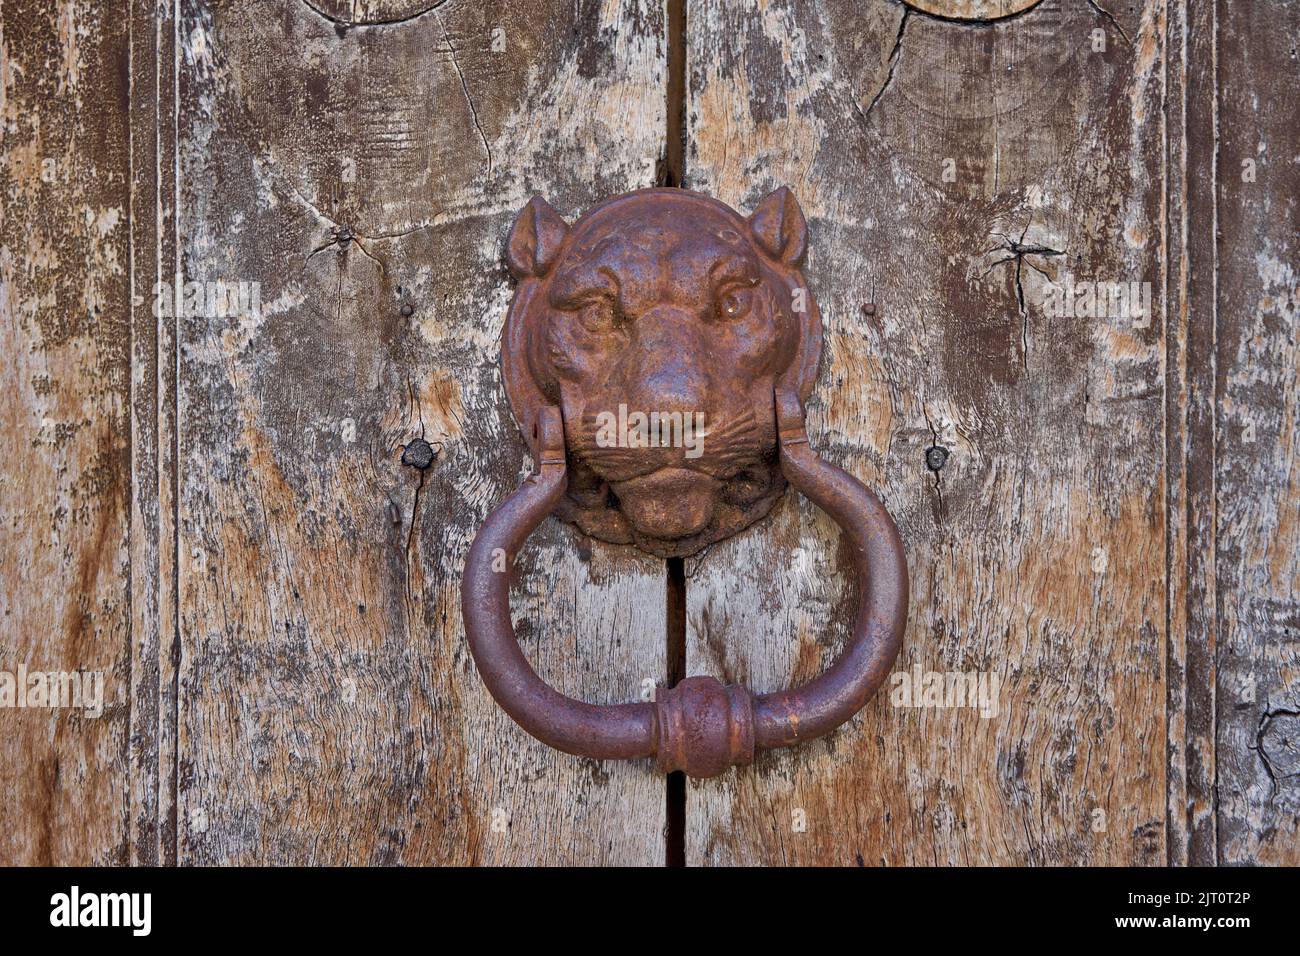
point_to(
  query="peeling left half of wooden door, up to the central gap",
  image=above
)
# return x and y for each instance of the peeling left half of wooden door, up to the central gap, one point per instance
(214, 508)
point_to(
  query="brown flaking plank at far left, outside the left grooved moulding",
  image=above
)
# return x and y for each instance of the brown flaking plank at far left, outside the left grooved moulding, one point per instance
(66, 482)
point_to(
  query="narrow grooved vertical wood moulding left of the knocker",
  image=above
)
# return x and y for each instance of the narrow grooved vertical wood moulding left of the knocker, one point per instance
(153, 537)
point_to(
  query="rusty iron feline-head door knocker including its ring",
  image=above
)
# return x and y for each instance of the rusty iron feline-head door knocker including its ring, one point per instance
(657, 356)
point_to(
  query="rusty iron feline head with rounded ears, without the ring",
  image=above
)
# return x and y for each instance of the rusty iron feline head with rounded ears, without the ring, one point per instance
(661, 323)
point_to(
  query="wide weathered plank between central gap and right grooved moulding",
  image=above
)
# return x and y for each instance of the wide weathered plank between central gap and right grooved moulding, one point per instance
(950, 174)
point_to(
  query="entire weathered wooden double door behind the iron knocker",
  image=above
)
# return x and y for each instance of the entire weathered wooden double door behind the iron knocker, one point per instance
(253, 289)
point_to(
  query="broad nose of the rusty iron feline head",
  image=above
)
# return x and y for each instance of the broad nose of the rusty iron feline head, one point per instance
(668, 365)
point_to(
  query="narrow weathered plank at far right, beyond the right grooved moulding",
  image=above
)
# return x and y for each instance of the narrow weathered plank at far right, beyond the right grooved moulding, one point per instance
(1258, 479)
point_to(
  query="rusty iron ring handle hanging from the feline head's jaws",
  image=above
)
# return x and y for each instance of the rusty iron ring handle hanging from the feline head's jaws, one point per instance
(700, 726)
